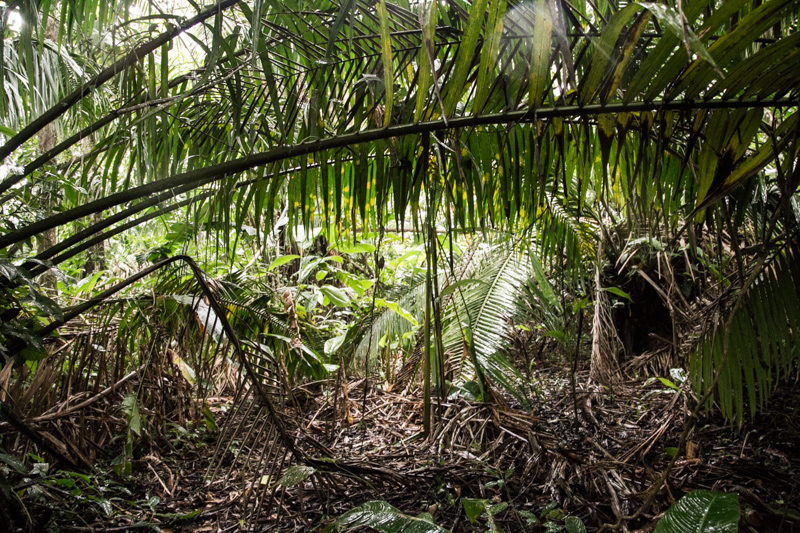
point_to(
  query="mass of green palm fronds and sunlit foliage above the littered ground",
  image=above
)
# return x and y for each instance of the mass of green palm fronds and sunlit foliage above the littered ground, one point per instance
(259, 139)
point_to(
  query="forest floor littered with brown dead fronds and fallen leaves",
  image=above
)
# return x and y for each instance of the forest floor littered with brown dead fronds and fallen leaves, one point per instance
(519, 470)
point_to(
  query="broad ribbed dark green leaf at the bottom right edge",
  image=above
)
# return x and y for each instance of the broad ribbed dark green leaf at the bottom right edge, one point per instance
(702, 511)
